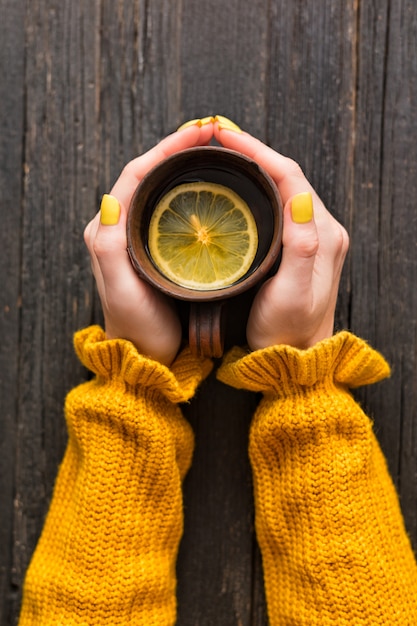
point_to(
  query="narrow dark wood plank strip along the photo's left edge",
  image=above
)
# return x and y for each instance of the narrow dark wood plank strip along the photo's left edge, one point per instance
(11, 158)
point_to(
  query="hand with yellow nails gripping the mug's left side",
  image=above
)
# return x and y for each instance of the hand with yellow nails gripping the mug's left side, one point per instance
(132, 309)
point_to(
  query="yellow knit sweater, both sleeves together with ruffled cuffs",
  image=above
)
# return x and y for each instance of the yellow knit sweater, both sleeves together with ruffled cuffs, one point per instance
(329, 526)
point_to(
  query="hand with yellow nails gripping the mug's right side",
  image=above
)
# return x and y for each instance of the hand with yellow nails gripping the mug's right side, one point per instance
(296, 306)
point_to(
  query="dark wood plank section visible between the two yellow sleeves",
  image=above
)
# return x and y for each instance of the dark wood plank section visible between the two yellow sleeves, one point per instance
(215, 562)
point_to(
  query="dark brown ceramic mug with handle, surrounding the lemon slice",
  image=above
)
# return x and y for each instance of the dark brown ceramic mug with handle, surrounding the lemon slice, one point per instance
(254, 185)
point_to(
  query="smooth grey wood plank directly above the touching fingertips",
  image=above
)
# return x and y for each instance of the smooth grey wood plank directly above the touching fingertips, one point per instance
(224, 61)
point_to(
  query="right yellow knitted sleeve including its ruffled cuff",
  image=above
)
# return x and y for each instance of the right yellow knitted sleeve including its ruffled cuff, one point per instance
(334, 547)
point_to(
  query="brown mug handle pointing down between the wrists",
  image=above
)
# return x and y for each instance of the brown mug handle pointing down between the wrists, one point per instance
(206, 328)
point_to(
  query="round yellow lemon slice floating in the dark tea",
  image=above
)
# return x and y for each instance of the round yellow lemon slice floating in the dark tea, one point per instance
(202, 236)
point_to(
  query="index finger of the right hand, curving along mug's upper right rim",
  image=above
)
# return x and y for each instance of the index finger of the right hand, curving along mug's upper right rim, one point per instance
(286, 173)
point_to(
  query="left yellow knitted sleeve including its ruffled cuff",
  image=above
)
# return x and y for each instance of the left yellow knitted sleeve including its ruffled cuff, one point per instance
(108, 548)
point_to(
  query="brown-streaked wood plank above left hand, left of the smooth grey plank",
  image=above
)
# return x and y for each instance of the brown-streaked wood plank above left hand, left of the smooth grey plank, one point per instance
(139, 80)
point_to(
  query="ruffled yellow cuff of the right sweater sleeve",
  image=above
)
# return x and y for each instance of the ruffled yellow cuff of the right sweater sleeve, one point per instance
(344, 359)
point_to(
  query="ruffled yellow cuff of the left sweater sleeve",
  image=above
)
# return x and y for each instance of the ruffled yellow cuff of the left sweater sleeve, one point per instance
(117, 360)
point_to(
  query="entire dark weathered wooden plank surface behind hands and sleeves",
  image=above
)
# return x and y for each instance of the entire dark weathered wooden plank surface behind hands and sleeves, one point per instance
(86, 86)
